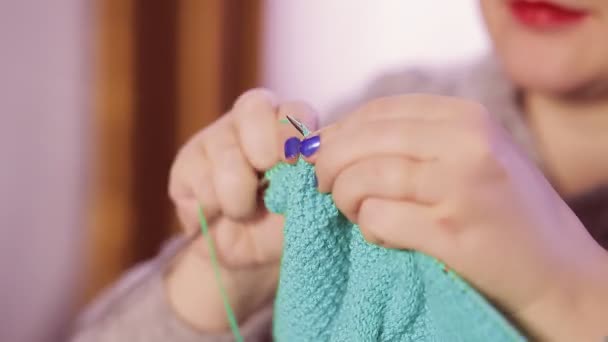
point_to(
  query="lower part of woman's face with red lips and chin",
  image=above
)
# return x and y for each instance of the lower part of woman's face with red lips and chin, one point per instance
(556, 47)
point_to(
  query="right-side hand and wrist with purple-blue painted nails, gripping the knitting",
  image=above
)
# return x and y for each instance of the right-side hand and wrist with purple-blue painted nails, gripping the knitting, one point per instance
(438, 175)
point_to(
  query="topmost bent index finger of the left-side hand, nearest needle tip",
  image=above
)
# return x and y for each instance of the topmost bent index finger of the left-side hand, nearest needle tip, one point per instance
(255, 121)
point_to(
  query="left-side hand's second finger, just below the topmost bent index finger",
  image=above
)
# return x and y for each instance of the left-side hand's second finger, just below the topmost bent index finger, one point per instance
(235, 181)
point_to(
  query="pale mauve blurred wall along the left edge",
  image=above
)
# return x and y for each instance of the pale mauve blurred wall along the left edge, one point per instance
(45, 86)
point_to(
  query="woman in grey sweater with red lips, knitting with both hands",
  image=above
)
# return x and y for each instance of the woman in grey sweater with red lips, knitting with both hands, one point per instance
(495, 173)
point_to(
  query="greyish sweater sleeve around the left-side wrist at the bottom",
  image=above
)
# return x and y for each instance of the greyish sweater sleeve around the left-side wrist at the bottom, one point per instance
(136, 308)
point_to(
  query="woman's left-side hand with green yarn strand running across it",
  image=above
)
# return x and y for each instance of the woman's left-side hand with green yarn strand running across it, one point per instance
(220, 168)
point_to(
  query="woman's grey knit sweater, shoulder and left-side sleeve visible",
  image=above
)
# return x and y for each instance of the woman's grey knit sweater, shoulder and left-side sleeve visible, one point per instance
(136, 308)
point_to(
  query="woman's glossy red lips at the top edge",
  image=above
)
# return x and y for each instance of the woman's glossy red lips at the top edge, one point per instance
(545, 15)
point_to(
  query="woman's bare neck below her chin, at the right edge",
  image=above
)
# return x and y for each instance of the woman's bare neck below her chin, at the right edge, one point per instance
(572, 138)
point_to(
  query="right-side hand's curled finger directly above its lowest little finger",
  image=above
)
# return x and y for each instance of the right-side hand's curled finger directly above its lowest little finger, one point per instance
(385, 177)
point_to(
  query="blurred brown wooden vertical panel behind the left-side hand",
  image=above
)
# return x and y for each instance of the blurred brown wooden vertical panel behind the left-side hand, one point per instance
(164, 69)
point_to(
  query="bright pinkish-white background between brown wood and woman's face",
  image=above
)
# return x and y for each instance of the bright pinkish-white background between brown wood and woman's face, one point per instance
(325, 51)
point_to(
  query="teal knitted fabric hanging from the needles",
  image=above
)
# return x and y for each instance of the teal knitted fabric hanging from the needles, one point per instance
(334, 286)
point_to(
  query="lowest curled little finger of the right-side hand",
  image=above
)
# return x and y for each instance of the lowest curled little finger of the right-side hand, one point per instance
(399, 224)
